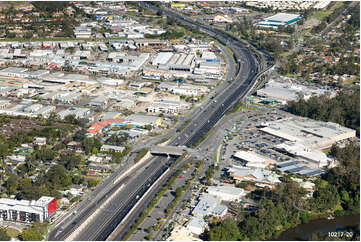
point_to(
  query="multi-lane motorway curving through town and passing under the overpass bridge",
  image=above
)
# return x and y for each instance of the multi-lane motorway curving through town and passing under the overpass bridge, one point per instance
(131, 189)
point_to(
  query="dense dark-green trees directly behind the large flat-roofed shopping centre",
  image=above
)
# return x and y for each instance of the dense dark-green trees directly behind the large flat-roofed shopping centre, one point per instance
(344, 109)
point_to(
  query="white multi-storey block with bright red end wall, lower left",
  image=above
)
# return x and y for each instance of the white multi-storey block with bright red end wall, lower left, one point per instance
(27, 211)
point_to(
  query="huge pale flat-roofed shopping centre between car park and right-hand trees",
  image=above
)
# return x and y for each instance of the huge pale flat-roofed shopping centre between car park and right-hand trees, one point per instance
(310, 133)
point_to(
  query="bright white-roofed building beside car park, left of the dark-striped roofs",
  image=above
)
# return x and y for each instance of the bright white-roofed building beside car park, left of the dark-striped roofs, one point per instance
(252, 159)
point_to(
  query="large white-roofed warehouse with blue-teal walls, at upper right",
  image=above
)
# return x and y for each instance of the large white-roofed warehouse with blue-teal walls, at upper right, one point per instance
(280, 19)
